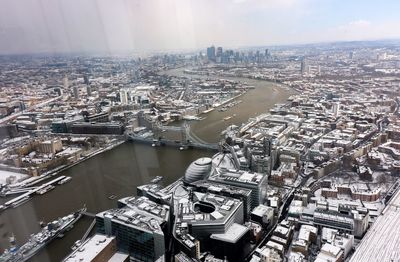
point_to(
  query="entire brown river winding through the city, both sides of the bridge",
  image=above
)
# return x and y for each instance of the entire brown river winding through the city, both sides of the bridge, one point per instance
(120, 170)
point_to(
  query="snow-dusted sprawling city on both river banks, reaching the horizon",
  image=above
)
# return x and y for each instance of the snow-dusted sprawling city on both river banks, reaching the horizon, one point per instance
(313, 178)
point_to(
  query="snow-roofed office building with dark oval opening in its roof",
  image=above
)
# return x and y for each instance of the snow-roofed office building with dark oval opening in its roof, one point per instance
(205, 221)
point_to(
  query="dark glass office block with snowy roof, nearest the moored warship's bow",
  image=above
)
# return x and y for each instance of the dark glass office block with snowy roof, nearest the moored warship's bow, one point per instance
(138, 228)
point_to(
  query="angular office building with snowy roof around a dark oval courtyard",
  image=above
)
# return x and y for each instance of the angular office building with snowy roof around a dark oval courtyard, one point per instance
(201, 215)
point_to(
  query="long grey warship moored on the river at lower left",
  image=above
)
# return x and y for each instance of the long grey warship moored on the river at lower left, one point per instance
(39, 240)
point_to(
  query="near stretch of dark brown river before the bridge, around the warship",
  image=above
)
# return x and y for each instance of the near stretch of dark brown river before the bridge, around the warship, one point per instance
(115, 172)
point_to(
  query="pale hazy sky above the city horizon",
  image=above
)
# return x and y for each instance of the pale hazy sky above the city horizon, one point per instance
(141, 25)
